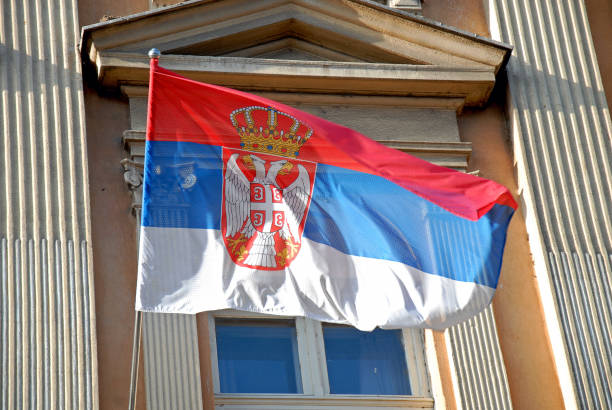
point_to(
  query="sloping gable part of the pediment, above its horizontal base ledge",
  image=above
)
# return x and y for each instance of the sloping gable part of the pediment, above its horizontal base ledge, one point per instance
(335, 30)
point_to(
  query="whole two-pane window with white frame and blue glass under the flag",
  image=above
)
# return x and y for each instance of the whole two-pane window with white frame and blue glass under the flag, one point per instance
(270, 361)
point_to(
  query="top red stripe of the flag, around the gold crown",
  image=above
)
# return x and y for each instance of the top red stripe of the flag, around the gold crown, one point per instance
(186, 110)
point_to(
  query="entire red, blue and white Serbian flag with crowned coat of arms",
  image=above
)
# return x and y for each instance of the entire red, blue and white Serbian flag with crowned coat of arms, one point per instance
(250, 204)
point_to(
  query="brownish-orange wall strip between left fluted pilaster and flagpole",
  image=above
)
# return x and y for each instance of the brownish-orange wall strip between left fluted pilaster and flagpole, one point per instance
(114, 247)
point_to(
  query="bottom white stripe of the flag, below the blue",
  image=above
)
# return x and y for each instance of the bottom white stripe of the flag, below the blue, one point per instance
(189, 271)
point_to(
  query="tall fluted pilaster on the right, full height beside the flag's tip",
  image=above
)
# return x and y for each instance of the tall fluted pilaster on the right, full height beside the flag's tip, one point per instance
(563, 148)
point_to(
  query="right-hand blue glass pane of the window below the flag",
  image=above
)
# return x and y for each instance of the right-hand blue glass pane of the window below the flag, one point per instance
(365, 362)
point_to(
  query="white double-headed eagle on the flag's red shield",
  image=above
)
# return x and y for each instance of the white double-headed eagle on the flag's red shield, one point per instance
(239, 204)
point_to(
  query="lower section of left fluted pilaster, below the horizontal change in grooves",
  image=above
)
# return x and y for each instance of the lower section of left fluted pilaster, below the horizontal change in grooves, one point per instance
(39, 362)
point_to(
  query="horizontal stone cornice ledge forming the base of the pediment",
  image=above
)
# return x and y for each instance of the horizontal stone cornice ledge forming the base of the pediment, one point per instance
(473, 85)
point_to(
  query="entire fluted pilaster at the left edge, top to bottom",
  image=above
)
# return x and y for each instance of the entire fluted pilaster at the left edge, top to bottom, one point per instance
(48, 325)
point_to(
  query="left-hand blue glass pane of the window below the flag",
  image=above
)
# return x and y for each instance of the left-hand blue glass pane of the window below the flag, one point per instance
(258, 356)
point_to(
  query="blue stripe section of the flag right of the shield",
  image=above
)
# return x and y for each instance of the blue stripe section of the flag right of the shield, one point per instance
(366, 215)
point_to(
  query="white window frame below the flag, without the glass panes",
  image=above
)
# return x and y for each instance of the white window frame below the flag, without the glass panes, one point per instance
(313, 369)
